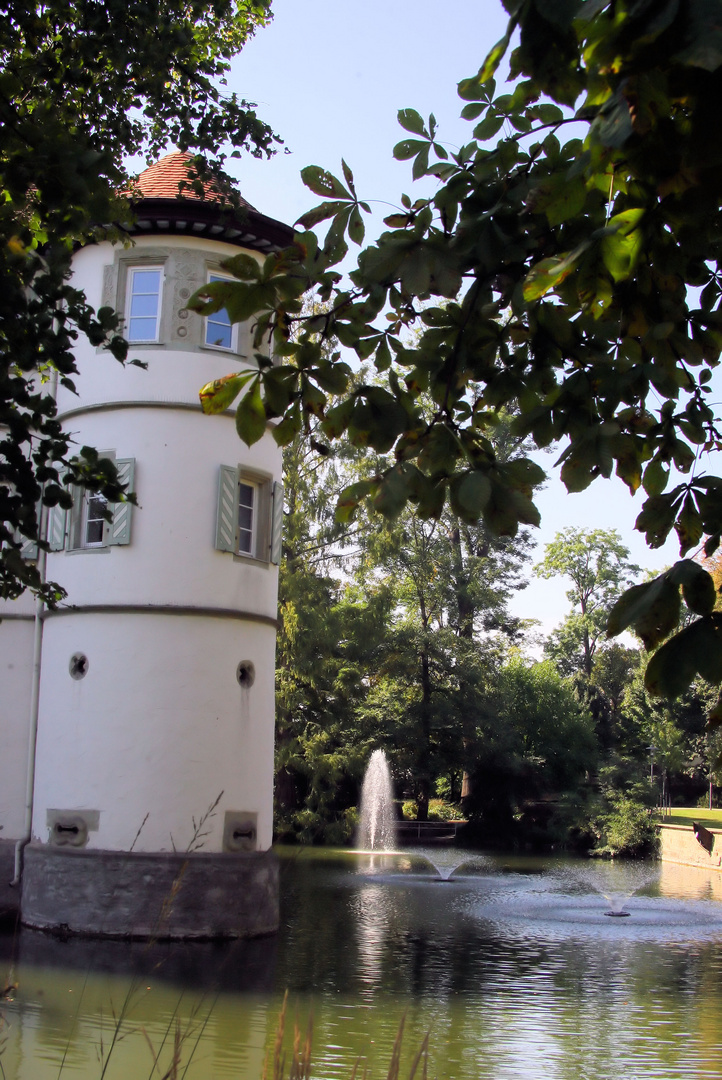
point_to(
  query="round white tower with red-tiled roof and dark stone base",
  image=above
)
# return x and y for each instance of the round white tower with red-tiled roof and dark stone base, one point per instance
(154, 780)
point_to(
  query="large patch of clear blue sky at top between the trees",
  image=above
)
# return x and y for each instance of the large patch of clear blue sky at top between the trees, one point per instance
(331, 76)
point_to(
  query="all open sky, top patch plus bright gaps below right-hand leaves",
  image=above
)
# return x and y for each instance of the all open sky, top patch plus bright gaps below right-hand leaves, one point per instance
(330, 77)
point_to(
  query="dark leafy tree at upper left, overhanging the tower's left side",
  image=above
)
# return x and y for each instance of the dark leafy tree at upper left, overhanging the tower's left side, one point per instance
(84, 85)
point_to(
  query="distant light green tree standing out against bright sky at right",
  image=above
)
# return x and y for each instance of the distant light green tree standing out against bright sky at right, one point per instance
(597, 564)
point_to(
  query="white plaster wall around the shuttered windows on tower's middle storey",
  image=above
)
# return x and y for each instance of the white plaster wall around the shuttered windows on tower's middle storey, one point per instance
(172, 558)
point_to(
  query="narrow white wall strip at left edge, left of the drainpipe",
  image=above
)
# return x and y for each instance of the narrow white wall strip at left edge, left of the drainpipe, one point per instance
(16, 688)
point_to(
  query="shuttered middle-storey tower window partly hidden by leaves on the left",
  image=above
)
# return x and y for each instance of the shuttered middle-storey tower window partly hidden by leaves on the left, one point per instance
(86, 526)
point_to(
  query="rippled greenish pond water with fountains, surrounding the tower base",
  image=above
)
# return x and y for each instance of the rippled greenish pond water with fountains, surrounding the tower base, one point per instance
(512, 965)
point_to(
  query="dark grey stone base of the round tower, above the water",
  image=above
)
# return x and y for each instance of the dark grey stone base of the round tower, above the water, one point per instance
(153, 896)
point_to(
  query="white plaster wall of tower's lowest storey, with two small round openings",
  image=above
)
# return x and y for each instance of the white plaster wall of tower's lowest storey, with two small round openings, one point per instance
(159, 725)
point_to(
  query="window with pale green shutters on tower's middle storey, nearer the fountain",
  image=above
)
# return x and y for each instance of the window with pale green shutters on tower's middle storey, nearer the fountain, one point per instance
(250, 517)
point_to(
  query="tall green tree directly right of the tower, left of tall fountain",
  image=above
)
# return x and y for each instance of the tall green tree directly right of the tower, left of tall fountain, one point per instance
(331, 639)
